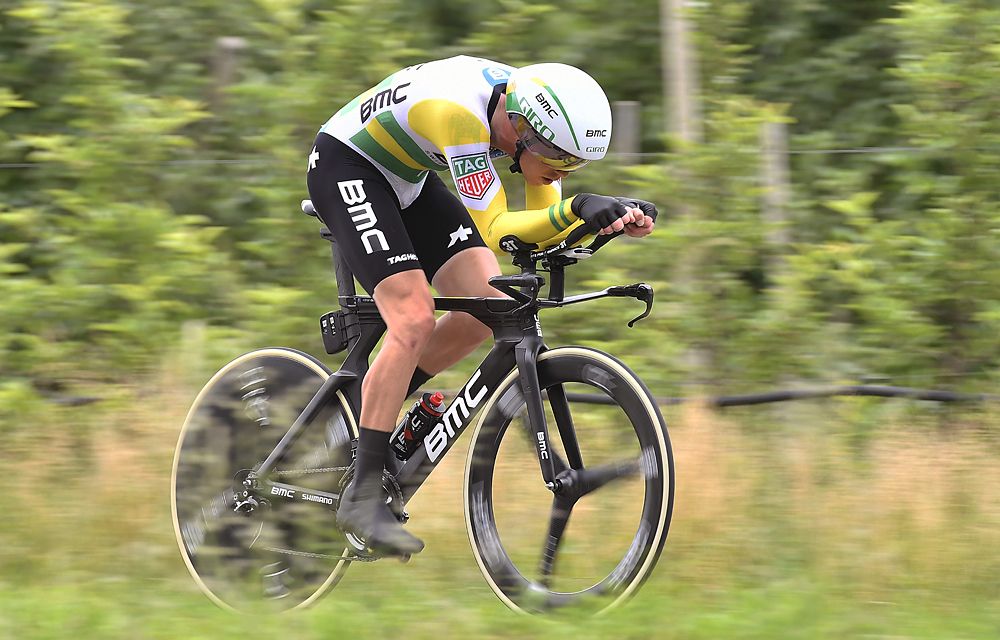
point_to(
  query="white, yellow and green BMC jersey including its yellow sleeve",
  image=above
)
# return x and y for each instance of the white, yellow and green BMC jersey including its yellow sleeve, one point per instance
(436, 117)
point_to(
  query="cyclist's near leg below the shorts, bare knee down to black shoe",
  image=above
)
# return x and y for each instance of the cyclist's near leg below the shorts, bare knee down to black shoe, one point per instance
(405, 303)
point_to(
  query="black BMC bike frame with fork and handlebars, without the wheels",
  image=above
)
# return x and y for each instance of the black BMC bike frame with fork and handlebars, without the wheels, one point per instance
(518, 341)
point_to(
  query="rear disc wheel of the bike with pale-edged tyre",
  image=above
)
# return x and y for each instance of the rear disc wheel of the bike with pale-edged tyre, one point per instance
(285, 556)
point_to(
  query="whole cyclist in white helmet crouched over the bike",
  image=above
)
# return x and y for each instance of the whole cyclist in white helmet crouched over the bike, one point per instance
(372, 178)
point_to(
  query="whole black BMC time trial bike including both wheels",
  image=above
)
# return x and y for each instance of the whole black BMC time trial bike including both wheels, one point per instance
(555, 517)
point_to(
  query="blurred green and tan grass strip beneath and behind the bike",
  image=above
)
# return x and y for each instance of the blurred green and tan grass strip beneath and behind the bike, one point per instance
(810, 521)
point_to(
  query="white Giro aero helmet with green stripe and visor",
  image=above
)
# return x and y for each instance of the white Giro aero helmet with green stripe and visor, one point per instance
(560, 114)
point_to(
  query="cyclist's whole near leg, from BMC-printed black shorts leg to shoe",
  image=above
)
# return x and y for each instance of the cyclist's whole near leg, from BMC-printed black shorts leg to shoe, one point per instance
(362, 211)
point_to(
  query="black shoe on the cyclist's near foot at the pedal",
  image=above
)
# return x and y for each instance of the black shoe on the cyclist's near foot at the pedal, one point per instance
(369, 517)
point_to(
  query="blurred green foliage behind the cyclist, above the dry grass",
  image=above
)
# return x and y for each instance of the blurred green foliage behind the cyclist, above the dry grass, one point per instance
(119, 223)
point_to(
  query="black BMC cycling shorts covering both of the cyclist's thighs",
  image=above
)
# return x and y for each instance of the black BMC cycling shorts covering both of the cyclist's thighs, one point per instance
(374, 234)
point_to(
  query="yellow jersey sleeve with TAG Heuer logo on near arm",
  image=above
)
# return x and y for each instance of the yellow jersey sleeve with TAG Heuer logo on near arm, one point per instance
(465, 141)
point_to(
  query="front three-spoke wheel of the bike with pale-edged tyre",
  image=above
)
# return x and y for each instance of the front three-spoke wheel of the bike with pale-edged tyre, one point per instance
(615, 534)
